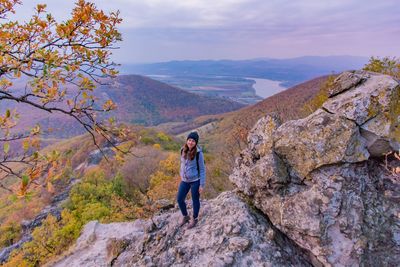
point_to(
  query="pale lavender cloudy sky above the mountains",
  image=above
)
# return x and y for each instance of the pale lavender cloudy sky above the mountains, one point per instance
(163, 30)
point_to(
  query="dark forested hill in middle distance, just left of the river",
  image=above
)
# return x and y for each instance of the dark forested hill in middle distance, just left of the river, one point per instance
(142, 100)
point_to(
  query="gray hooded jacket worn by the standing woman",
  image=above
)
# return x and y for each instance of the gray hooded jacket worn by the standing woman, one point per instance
(188, 169)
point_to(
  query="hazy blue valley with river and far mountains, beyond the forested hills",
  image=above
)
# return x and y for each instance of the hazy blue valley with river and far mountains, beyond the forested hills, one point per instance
(243, 81)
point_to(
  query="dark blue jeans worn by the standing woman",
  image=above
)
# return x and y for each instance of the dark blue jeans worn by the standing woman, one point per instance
(183, 190)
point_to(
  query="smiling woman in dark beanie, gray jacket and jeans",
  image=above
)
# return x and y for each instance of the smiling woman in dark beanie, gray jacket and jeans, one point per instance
(193, 178)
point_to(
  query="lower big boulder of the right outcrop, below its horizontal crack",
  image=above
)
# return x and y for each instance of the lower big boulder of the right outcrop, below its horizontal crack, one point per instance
(344, 215)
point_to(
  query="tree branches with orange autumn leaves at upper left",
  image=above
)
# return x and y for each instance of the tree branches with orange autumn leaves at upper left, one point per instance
(61, 63)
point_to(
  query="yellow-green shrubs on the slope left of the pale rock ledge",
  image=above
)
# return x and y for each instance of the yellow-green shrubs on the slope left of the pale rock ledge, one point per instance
(94, 198)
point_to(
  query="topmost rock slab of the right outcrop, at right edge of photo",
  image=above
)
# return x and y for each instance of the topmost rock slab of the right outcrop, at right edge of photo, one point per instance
(374, 105)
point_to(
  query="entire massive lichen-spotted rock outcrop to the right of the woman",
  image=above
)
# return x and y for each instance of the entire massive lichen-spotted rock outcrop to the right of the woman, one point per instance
(336, 201)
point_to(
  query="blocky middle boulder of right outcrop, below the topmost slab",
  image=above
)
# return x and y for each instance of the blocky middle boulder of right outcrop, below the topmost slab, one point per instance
(320, 139)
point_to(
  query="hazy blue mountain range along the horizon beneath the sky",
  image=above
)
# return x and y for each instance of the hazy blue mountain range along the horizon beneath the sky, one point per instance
(290, 71)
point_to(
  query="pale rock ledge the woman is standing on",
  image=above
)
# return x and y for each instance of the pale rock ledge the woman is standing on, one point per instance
(229, 233)
